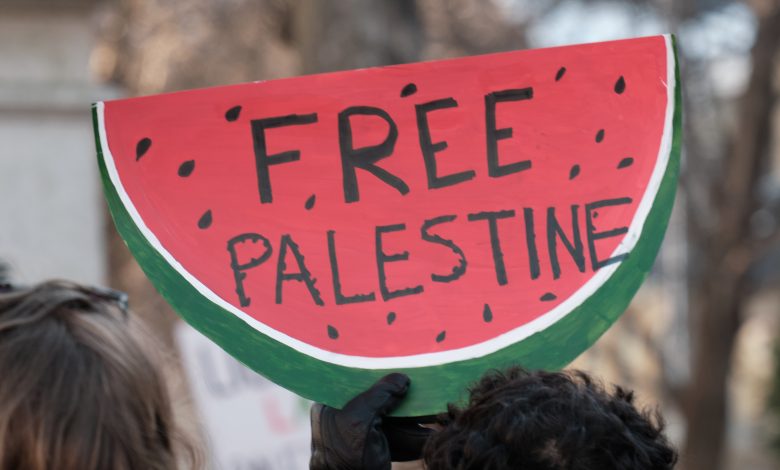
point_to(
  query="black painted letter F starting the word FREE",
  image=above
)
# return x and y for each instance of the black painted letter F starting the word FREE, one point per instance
(262, 160)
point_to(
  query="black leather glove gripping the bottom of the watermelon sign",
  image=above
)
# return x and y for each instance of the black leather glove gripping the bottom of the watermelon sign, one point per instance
(354, 438)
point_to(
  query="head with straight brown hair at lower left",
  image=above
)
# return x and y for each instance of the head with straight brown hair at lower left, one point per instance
(77, 391)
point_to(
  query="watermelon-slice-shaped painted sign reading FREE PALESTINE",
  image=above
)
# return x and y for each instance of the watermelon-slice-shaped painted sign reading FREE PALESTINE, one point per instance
(438, 219)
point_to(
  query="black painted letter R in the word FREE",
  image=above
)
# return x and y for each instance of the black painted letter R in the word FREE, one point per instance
(366, 157)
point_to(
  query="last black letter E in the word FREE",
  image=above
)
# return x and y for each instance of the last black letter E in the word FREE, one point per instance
(495, 169)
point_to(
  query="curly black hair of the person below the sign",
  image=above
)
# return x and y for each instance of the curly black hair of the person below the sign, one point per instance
(548, 420)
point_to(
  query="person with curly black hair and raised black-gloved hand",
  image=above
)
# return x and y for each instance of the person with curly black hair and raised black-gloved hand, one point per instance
(514, 420)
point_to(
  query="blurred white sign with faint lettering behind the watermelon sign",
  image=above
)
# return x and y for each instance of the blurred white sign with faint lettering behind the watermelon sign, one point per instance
(249, 422)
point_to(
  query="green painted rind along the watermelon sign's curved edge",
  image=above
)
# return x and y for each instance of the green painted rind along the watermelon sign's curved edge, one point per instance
(432, 386)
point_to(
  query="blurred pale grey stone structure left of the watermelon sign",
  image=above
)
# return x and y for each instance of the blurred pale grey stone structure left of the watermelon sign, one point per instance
(51, 211)
